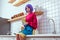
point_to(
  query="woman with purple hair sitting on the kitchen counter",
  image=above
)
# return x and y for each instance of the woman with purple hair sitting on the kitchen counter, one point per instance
(31, 22)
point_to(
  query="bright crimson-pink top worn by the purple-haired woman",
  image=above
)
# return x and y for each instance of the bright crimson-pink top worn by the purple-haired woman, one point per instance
(32, 20)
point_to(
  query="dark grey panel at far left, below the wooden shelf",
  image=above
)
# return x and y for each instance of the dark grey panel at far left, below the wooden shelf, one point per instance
(4, 26)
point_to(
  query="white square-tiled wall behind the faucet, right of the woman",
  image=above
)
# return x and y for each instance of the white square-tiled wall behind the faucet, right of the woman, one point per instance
(51, 7)
